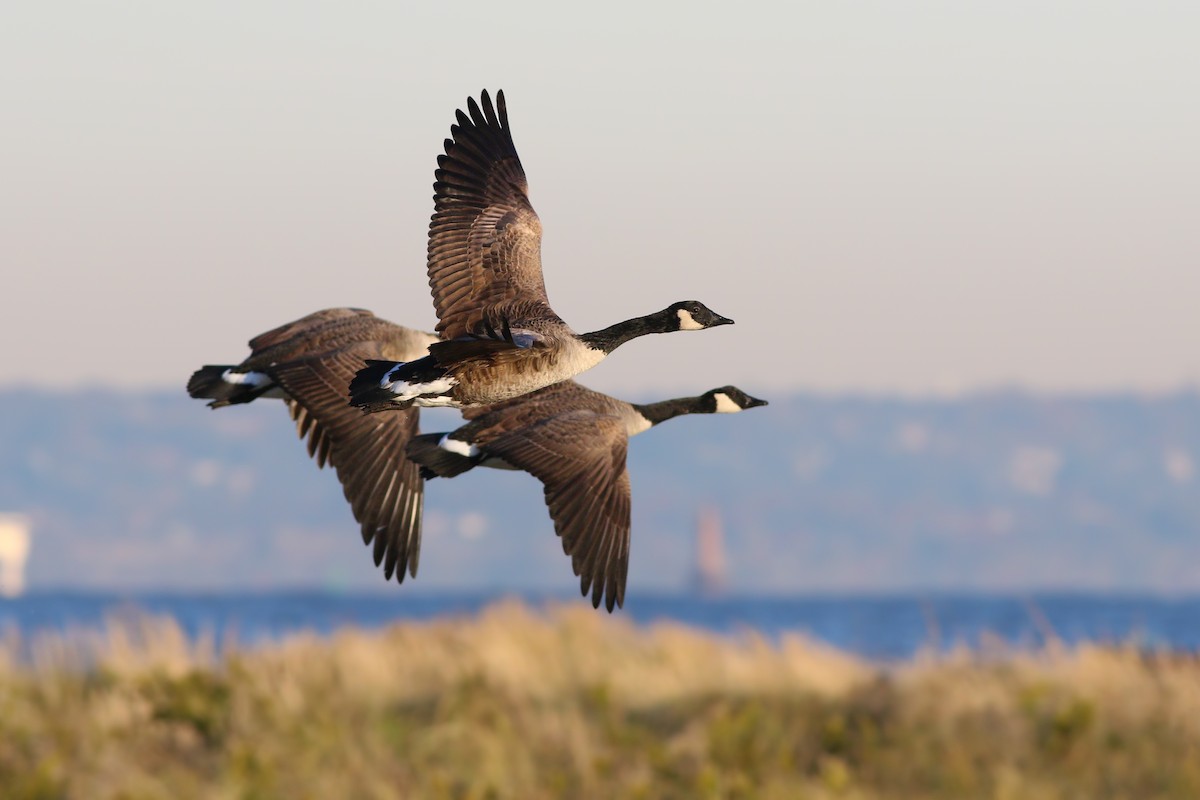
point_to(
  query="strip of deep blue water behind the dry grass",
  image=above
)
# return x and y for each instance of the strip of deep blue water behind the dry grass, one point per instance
(878, 627)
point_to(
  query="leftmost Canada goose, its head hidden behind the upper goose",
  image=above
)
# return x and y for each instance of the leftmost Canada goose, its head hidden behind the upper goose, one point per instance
(308, 364)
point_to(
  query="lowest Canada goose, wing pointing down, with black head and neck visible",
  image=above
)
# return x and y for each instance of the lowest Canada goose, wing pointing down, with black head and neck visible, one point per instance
(574, 441)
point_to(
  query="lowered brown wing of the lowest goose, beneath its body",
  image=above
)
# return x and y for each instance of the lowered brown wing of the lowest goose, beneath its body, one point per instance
(580, 459)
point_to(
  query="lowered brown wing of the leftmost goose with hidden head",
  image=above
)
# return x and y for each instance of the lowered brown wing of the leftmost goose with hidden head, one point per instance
(383, 488)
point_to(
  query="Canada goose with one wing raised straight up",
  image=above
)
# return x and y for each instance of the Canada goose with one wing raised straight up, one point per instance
(502, 338)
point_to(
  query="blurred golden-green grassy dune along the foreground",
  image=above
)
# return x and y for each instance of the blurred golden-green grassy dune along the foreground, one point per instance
(575, 705)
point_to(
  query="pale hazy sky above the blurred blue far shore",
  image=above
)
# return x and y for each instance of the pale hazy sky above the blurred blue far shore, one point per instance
(887, 197)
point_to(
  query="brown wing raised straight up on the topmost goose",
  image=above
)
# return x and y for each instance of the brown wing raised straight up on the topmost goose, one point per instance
(485, 238)
